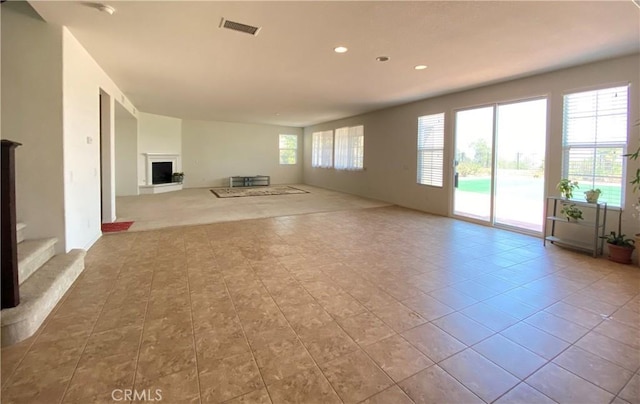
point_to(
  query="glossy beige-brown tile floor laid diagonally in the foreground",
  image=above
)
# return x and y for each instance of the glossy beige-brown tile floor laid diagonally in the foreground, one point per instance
(380, 305)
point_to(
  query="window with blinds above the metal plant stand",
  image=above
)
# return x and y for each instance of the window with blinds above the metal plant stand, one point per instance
(595, 140)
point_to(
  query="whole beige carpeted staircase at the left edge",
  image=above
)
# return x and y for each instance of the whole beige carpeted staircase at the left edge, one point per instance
(44, 278)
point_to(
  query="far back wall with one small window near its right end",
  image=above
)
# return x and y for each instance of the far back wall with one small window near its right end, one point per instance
(214, 151)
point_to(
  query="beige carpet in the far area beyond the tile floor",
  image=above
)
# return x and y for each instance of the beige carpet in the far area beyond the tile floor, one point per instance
(197, 206)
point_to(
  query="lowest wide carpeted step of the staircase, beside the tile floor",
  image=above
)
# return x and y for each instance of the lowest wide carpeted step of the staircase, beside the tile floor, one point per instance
(39, 295)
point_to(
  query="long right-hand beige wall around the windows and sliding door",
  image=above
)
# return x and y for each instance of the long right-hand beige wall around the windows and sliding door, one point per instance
(390, 157)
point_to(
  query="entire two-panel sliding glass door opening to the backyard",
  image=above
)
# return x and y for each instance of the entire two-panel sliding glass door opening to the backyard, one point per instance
(499, 175)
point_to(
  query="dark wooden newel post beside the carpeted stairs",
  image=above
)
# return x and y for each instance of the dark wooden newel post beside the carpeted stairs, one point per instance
(9, 261)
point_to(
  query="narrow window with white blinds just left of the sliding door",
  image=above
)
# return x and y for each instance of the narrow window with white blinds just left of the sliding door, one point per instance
(431, 149)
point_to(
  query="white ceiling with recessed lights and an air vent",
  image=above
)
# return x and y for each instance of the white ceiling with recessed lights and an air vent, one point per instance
(171, 58)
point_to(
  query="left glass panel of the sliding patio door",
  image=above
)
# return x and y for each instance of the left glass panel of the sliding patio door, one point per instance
(474, 163)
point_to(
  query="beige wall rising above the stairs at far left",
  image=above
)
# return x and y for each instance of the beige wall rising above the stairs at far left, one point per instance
(31, 110)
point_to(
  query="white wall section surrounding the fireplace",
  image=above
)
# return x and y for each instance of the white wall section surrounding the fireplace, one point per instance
(157, 134)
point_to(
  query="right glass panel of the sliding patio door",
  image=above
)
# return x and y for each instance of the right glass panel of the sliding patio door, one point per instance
(519, 175)
